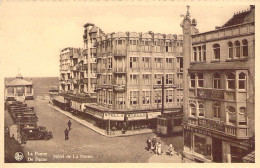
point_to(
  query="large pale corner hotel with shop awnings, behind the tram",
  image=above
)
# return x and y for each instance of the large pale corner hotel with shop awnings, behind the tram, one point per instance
(130, 67)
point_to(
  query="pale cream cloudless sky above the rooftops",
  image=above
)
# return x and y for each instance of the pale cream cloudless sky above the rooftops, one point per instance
(33, 33)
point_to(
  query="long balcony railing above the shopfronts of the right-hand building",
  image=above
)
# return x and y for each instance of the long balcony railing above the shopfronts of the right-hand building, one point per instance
(219, 126)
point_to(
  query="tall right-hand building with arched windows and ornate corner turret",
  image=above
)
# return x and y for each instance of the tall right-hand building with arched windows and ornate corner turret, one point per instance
(219, 87)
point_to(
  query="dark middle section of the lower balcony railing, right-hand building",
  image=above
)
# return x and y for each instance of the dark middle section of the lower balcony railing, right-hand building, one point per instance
(217, 125)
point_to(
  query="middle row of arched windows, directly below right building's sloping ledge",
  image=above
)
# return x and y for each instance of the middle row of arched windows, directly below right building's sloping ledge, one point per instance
(216, 80)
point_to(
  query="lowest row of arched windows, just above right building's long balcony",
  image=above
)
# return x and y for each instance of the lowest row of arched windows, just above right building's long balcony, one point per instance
(216, 108)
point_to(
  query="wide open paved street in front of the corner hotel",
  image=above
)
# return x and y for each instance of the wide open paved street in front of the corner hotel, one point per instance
(84, 143)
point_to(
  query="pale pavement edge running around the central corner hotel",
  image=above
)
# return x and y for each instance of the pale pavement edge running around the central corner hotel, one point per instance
(85, 123)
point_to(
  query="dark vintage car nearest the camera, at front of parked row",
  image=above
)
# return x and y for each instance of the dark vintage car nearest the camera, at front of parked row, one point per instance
(36, 133)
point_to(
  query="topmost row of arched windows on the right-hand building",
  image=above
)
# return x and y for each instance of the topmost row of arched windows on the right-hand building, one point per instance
(235, 50)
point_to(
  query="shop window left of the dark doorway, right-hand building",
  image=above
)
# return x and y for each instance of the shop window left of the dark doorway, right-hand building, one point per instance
(201, 146)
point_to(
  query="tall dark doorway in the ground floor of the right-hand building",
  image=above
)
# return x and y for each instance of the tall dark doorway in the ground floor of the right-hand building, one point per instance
(217, 150)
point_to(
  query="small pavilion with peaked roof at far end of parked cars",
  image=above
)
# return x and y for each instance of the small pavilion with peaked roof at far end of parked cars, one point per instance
(18, 89)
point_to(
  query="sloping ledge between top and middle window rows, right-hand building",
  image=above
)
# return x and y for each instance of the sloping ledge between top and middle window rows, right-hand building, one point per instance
(218, 66)
